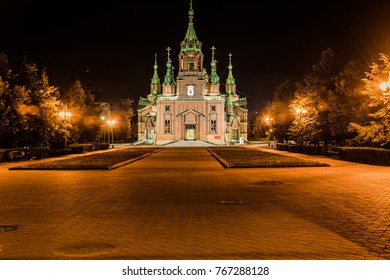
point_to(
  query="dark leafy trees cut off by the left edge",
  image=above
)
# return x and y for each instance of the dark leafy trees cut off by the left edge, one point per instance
(28, 107)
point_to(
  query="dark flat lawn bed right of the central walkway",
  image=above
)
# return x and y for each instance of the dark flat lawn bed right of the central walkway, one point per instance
(245, 157)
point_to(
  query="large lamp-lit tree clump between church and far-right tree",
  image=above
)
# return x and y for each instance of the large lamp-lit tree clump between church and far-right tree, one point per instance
(322, 104)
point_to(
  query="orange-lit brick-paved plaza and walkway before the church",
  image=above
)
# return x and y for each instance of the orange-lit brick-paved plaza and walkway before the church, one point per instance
(181, 203)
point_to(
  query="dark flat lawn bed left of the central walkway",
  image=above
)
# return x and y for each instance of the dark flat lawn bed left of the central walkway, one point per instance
(105, 160)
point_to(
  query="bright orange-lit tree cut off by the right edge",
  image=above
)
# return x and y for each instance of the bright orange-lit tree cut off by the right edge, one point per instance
(376, 130)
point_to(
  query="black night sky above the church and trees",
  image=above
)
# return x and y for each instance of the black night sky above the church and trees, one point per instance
(111, 44)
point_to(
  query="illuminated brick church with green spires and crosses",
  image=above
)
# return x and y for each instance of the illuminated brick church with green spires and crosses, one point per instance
(191, 105)
